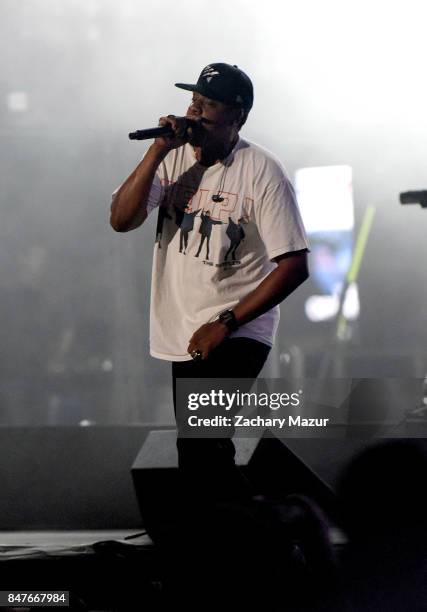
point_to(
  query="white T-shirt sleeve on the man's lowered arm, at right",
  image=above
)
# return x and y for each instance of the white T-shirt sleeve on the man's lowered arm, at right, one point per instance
(279, 220)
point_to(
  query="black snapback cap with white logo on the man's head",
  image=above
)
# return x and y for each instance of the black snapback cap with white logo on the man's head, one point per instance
(225, 83)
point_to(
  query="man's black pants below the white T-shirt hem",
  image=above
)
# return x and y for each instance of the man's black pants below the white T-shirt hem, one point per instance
(207, 464)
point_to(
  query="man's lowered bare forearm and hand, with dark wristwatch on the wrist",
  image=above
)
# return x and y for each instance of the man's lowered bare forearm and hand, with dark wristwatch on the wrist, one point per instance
(291, 271)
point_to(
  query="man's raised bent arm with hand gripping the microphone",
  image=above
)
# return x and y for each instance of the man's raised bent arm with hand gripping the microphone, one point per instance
(129, 207)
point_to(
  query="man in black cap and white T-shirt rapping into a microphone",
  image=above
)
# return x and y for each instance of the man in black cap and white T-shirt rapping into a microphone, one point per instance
(210, 319)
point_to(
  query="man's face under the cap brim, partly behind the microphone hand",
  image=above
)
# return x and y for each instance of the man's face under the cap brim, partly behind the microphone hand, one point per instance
(218, 122)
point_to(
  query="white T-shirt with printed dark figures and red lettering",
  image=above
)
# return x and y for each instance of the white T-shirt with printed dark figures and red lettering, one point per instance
(212, 254)
